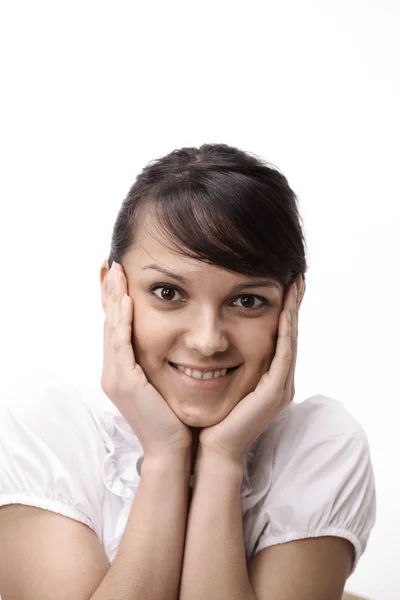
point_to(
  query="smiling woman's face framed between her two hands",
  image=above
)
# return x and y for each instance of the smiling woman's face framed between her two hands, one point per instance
(193, 314)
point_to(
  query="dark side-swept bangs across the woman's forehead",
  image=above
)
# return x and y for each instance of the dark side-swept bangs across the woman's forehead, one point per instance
(225, 219)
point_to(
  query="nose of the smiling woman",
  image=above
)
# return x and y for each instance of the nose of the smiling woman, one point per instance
(206, 334)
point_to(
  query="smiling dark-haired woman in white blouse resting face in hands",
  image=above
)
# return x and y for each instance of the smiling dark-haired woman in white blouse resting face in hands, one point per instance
(201, 478)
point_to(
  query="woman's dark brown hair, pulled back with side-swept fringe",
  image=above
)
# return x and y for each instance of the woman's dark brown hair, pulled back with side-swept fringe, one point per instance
(220, 205)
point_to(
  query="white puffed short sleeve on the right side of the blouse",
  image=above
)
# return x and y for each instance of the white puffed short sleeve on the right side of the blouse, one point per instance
(323, 481)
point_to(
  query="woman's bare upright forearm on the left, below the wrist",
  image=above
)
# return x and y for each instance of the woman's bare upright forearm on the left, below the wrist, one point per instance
(149, 560)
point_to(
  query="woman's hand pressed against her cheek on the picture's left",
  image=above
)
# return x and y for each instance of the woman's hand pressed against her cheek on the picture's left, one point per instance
(157, 427)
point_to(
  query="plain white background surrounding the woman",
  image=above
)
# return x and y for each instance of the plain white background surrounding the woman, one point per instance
(91, 91)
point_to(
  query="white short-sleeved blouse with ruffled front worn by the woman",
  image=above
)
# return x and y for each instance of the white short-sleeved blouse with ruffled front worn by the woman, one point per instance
(68, 449)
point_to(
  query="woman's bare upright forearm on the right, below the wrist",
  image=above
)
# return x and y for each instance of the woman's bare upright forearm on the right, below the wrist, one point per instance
(214, 562)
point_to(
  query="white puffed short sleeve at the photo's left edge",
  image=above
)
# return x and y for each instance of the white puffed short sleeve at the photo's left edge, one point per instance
(50, 451)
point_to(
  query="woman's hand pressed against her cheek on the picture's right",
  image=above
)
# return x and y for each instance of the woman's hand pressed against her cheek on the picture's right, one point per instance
(251, 416)
